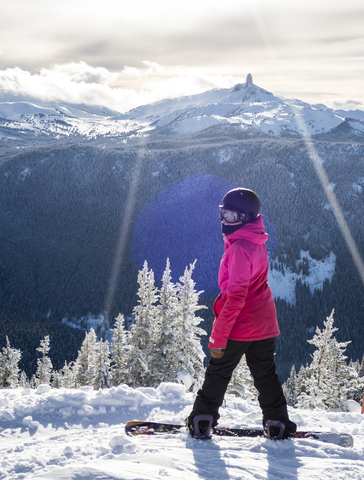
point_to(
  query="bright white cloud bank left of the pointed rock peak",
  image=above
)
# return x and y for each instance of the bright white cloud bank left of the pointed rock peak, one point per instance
(78, 83)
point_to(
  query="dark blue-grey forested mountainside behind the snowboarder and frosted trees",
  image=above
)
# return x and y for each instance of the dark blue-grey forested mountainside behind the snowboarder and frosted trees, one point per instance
(79, 217)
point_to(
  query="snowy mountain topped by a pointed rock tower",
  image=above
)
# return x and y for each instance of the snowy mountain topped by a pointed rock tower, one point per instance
(246, 106)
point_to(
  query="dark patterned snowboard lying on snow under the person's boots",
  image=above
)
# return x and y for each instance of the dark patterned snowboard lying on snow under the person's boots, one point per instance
(155, 428)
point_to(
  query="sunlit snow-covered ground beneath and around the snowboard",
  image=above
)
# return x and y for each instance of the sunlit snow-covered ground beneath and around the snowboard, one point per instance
(79, 434)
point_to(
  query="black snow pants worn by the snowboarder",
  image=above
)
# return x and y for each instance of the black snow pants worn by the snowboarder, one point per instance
(260, 359)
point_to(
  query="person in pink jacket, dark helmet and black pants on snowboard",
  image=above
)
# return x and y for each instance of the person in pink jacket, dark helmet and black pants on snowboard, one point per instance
(245, 320)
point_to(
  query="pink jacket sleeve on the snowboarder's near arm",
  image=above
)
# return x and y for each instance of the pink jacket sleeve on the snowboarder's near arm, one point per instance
(239, 268)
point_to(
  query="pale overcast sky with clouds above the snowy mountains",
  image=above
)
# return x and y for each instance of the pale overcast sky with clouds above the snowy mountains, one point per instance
(123, 53)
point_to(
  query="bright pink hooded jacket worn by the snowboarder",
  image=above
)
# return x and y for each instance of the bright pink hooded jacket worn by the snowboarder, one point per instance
(245, 309)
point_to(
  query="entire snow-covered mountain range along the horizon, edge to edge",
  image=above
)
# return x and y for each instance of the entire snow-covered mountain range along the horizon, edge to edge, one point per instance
(245, 106)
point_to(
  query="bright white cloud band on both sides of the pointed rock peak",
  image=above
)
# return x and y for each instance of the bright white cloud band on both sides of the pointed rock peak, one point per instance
(80, 83)
